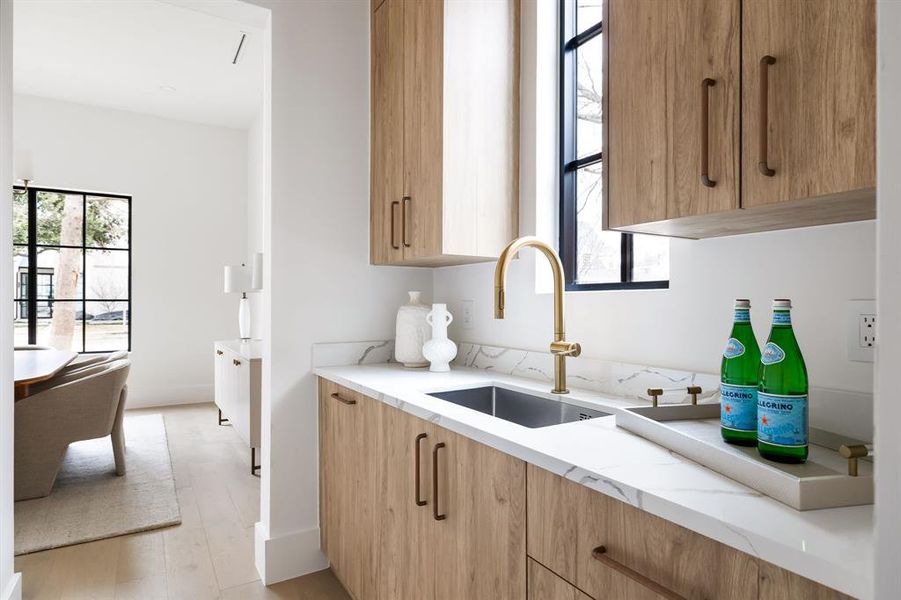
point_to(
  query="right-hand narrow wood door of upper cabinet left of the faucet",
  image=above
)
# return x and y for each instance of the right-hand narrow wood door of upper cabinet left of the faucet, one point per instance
(421, 222)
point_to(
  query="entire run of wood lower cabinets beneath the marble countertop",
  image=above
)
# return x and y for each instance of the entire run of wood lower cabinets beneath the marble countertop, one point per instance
(412, 511)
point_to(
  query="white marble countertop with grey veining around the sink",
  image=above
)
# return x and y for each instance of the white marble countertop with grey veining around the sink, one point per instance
(831, 546)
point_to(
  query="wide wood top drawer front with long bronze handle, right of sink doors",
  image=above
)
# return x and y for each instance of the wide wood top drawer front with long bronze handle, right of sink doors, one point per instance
(644, 556)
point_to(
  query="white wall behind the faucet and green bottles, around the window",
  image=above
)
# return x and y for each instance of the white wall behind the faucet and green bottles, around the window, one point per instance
(682, 327)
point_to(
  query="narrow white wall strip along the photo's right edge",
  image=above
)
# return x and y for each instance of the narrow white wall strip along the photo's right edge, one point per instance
(888, 352)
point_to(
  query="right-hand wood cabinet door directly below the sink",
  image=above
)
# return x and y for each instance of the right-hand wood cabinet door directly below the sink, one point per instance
(480, 533)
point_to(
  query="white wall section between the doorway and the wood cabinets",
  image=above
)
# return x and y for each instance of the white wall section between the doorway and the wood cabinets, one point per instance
(319, 284)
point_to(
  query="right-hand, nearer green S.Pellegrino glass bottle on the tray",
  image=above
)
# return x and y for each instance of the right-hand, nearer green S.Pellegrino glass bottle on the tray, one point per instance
(782, 412)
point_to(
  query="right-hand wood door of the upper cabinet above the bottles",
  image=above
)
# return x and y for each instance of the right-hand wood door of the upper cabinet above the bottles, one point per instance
(820, 118)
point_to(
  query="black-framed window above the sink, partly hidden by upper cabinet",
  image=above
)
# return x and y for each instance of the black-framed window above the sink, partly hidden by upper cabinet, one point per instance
(593, 259)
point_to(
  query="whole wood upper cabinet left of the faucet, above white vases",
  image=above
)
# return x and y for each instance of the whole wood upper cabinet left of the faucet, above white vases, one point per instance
(445, 130)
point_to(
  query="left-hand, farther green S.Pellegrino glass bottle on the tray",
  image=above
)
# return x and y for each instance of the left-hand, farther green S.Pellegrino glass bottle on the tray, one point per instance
(738, 380)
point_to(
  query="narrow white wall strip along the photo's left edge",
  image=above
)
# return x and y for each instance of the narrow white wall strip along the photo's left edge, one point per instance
(10, 583)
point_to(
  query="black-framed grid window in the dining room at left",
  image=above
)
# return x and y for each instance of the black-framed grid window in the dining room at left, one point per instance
(72, 260)
